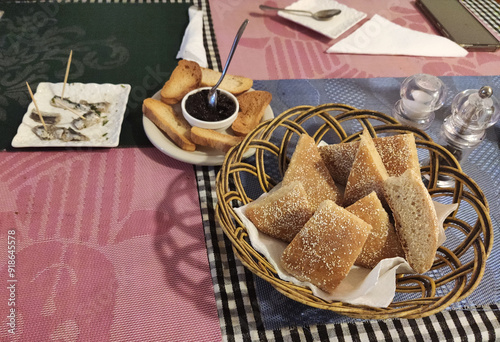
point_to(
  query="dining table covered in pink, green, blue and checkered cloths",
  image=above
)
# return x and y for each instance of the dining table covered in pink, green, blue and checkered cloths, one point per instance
(122, 243)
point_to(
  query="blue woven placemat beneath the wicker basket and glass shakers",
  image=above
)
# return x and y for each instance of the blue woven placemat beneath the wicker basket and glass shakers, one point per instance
(380, 94)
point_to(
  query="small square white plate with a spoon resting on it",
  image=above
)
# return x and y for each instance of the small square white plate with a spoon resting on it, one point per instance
(332, 28)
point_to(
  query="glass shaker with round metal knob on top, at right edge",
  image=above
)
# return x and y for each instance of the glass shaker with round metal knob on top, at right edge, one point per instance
(472, 112)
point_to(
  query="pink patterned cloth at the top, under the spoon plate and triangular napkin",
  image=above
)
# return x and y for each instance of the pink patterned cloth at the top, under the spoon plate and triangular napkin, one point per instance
(275, 48)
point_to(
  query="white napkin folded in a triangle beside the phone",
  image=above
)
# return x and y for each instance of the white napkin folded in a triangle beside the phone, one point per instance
(379, 36)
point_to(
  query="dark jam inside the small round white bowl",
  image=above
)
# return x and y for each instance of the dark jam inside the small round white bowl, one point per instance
(197, 106)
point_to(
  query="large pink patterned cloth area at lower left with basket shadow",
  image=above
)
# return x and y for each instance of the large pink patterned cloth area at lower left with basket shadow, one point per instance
(109, 245)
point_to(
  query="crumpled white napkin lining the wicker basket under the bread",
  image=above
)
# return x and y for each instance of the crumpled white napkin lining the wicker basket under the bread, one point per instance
(362, 286)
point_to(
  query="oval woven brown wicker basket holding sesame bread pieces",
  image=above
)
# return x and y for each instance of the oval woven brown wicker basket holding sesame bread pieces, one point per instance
(459, 264)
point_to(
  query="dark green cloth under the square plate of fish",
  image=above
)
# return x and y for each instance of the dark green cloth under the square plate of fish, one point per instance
(114, 43)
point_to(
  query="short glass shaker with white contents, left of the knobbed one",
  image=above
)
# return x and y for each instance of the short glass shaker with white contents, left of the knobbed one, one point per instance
(421, 95)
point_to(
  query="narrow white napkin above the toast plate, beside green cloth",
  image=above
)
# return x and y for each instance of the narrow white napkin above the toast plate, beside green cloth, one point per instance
(192, 43)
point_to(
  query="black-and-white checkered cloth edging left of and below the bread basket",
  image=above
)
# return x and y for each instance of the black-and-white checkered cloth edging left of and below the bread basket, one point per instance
(236, 294)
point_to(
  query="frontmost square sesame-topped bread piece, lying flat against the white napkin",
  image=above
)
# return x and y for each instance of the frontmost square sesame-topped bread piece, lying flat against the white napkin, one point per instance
(324, 251)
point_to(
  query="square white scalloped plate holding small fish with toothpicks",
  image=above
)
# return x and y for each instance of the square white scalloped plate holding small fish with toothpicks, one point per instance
(104, 134)
